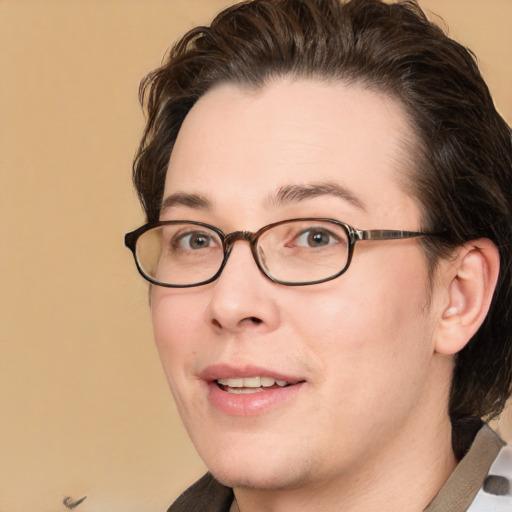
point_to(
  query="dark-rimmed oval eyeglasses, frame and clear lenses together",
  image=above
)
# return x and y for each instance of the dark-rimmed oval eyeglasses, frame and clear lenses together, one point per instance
(296, 252)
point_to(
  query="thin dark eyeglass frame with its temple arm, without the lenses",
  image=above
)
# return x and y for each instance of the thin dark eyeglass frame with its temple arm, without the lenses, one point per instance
(228, 240)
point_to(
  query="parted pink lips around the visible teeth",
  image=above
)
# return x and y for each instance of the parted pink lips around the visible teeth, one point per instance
(252, 404)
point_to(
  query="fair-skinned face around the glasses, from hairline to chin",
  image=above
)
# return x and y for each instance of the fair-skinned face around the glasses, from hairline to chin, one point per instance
(355, 352)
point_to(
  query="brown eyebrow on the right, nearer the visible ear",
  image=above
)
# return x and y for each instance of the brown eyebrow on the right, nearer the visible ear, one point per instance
(296, 193)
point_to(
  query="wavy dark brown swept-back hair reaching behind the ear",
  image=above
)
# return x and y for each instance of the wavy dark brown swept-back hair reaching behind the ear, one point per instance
(463, 152)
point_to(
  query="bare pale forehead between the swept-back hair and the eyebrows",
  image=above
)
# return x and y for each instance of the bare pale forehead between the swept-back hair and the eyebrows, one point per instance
(241, 145)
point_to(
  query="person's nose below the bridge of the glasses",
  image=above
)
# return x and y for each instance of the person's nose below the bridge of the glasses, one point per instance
(242, 298)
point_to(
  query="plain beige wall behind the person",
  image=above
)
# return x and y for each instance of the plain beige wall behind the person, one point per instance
(84, 408)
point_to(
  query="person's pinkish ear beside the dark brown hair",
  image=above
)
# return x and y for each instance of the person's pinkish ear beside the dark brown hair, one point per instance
(470, 280)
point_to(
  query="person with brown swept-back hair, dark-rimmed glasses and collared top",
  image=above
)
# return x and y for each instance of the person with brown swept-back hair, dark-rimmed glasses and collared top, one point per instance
(328, 194)
